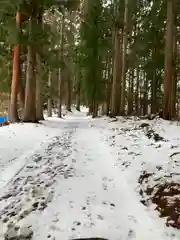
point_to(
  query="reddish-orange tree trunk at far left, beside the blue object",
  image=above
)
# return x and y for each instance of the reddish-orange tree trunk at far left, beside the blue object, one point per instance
(13, 109)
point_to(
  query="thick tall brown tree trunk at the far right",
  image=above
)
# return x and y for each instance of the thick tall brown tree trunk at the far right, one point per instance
(168, 61)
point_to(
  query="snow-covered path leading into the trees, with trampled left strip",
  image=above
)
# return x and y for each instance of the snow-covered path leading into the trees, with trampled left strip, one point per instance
(70, 187)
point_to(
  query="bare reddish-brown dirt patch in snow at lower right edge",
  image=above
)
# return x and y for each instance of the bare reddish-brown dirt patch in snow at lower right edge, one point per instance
(166, 197)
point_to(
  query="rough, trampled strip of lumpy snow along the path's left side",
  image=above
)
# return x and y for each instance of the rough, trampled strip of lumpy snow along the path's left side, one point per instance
(31, 188)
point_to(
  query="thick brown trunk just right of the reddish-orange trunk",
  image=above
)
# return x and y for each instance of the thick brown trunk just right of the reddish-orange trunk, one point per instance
(30, 96)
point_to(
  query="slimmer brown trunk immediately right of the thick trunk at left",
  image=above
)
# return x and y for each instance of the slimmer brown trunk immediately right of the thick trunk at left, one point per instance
(39, 106)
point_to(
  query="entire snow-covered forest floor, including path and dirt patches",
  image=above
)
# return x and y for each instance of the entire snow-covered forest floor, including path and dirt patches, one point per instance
(80, 177)
